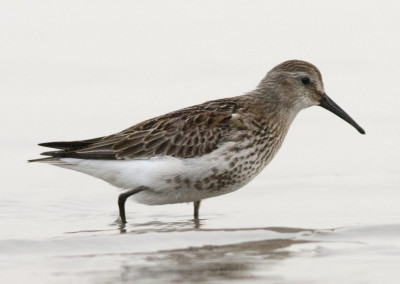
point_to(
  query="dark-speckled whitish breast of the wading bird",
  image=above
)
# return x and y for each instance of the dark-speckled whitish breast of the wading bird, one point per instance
(230, 168)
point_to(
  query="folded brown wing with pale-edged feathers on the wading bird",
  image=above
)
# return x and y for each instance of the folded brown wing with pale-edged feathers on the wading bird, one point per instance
(190, 132)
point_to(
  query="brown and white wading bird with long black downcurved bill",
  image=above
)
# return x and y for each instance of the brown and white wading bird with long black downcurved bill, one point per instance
(201, 151)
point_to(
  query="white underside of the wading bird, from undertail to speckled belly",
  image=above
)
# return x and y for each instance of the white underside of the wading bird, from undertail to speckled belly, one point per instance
(168, 179)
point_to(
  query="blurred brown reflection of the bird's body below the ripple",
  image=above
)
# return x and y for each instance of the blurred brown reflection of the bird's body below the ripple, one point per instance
(208, 263)
